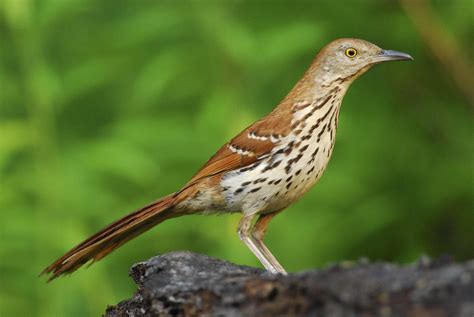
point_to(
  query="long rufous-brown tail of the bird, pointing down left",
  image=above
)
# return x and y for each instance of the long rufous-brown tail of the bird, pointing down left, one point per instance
(111, 237)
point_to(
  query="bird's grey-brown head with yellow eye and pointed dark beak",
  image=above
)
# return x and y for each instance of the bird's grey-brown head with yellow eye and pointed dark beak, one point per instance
(344, 60)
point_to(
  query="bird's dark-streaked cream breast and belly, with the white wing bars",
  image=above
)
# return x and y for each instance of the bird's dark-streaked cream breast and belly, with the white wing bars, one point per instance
(295, 163)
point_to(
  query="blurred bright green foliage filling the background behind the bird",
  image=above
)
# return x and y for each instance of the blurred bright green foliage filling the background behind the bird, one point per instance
(107, 105)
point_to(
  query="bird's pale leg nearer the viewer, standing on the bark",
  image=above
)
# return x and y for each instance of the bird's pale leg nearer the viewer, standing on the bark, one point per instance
(245, 234)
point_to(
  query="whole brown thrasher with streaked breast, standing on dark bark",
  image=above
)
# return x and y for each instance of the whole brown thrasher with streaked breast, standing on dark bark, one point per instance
(262, 170)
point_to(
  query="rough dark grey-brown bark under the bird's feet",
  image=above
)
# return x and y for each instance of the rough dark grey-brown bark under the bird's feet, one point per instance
(188, 284)
